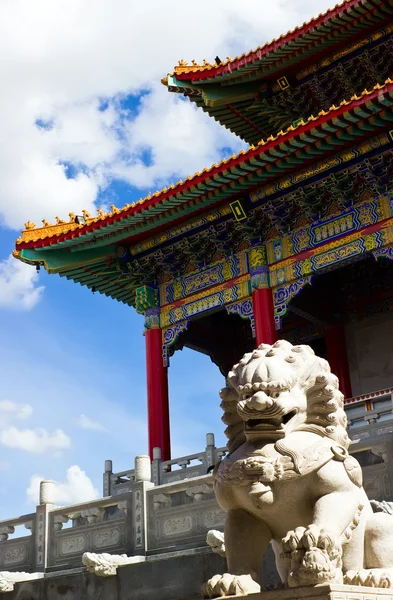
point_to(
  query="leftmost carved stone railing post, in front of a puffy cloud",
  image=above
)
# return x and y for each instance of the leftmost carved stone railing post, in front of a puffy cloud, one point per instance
(47, 503)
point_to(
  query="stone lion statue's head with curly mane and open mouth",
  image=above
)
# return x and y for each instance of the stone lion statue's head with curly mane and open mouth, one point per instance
(279, 389)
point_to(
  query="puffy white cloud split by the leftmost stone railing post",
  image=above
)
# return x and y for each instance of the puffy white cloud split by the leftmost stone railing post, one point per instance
(76, 488)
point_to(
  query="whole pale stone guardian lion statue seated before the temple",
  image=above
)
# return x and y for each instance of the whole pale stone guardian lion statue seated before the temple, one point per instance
(289, 480)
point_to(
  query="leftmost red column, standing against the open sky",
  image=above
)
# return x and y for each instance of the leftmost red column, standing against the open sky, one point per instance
(157, 395)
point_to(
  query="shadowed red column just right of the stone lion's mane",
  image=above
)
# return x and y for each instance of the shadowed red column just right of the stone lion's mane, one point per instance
(336, 350)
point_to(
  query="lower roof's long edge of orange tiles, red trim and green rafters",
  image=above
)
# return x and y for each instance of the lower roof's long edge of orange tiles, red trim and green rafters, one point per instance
(352, 120)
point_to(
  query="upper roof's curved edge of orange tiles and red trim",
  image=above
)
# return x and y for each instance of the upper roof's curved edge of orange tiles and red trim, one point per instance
(319, 34)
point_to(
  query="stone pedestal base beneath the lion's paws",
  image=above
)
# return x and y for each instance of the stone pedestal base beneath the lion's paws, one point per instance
(324, 592)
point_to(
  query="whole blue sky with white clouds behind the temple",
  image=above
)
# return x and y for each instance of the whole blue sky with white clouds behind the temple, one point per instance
(87, 124)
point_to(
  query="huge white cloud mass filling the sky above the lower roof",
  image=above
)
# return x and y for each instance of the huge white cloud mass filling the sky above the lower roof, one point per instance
(63, 59)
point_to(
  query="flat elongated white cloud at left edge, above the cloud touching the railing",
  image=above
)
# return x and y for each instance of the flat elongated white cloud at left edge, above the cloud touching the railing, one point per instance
(37, 441)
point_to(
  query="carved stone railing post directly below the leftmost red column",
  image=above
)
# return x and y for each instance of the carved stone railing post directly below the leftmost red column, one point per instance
(139, 505)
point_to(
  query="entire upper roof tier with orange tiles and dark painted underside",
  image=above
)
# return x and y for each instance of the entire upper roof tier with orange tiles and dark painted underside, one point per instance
(332, 57)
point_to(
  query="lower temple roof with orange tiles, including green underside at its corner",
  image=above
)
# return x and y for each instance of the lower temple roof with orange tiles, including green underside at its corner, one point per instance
(87, 252)
